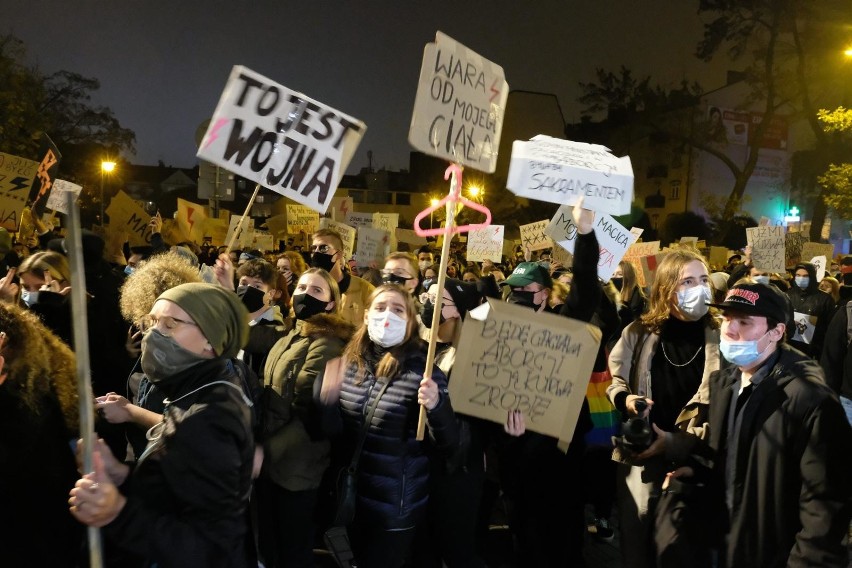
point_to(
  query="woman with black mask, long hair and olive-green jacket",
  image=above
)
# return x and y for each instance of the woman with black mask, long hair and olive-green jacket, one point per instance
(296, 454)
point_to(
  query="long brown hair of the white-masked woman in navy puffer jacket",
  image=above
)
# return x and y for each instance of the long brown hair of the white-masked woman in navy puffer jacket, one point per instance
(391, 362)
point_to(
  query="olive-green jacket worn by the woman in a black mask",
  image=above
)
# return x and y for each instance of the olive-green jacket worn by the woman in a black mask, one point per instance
(296, 456)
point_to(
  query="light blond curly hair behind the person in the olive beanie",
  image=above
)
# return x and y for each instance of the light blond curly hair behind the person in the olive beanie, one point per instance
(153, 277)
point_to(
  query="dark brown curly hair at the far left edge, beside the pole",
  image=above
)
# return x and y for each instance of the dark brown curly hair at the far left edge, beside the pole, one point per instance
(38, 365)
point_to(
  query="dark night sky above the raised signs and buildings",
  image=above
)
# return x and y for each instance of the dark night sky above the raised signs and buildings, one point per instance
(163, 64)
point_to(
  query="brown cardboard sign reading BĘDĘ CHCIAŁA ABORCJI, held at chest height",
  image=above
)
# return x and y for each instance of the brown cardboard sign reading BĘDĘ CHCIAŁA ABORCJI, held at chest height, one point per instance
(517, 359)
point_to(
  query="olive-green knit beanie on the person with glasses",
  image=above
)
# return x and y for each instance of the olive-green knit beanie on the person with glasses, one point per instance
(219, 314)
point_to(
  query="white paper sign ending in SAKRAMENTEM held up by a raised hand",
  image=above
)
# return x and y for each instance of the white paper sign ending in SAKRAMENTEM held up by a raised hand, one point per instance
(562, 171)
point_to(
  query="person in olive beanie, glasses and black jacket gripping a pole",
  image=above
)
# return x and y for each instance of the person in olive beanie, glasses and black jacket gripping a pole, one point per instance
(184, 503)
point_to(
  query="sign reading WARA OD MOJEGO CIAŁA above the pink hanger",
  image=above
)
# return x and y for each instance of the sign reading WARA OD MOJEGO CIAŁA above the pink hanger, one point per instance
(459, 106)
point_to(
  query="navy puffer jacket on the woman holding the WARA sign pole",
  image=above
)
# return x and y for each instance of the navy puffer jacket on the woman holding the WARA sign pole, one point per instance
(394, 467)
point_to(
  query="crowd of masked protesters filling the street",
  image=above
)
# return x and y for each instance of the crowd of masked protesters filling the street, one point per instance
(256, 408)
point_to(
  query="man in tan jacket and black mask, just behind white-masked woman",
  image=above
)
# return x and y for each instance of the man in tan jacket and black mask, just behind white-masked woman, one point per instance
(327, 253)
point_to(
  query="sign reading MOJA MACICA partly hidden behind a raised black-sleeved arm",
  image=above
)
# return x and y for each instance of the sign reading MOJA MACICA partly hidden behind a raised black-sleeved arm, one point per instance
(613, 238)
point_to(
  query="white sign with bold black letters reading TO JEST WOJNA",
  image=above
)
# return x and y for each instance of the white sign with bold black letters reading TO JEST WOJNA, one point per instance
(281, 139)
